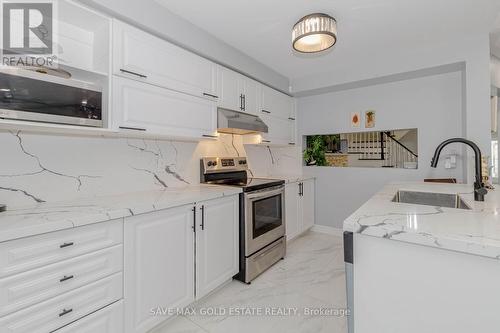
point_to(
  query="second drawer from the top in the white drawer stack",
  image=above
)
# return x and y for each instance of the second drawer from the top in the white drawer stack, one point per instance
(28, 288)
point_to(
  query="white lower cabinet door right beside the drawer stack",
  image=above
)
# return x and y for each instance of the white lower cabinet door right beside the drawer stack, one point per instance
(158, 265)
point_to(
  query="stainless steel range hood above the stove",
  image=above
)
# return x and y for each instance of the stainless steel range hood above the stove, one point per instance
(234, 122)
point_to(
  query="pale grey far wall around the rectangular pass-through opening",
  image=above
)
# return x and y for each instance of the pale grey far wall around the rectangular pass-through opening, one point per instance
(431, 104)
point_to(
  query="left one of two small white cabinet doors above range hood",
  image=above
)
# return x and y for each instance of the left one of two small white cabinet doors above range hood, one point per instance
(230, 89)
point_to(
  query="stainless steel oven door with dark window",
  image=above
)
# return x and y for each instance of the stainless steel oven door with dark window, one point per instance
(264, 218)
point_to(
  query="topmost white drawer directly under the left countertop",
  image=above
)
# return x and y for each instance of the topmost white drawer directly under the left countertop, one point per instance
(32, 252)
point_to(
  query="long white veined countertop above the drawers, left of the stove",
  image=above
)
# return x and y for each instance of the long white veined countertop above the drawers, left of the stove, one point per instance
(21, 222)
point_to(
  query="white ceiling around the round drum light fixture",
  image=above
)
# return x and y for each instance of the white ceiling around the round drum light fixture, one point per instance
(262, 28)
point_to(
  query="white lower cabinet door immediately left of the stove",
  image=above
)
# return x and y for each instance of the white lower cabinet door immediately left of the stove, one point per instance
(217, 243)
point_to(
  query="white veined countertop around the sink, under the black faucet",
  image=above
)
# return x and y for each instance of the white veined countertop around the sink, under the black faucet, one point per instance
(475, 231)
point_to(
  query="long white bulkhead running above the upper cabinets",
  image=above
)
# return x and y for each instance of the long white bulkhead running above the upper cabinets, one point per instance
(154, 18)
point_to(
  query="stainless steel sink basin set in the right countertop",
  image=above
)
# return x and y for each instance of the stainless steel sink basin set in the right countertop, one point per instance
(431, 199)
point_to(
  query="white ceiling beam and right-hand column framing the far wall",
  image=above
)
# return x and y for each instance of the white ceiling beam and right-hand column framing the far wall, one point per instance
(473, 51)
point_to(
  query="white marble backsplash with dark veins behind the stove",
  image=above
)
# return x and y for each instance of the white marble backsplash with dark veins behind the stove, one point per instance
(37, 168)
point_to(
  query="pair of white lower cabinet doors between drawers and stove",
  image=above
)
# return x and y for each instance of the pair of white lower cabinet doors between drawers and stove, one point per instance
(160, 258)
